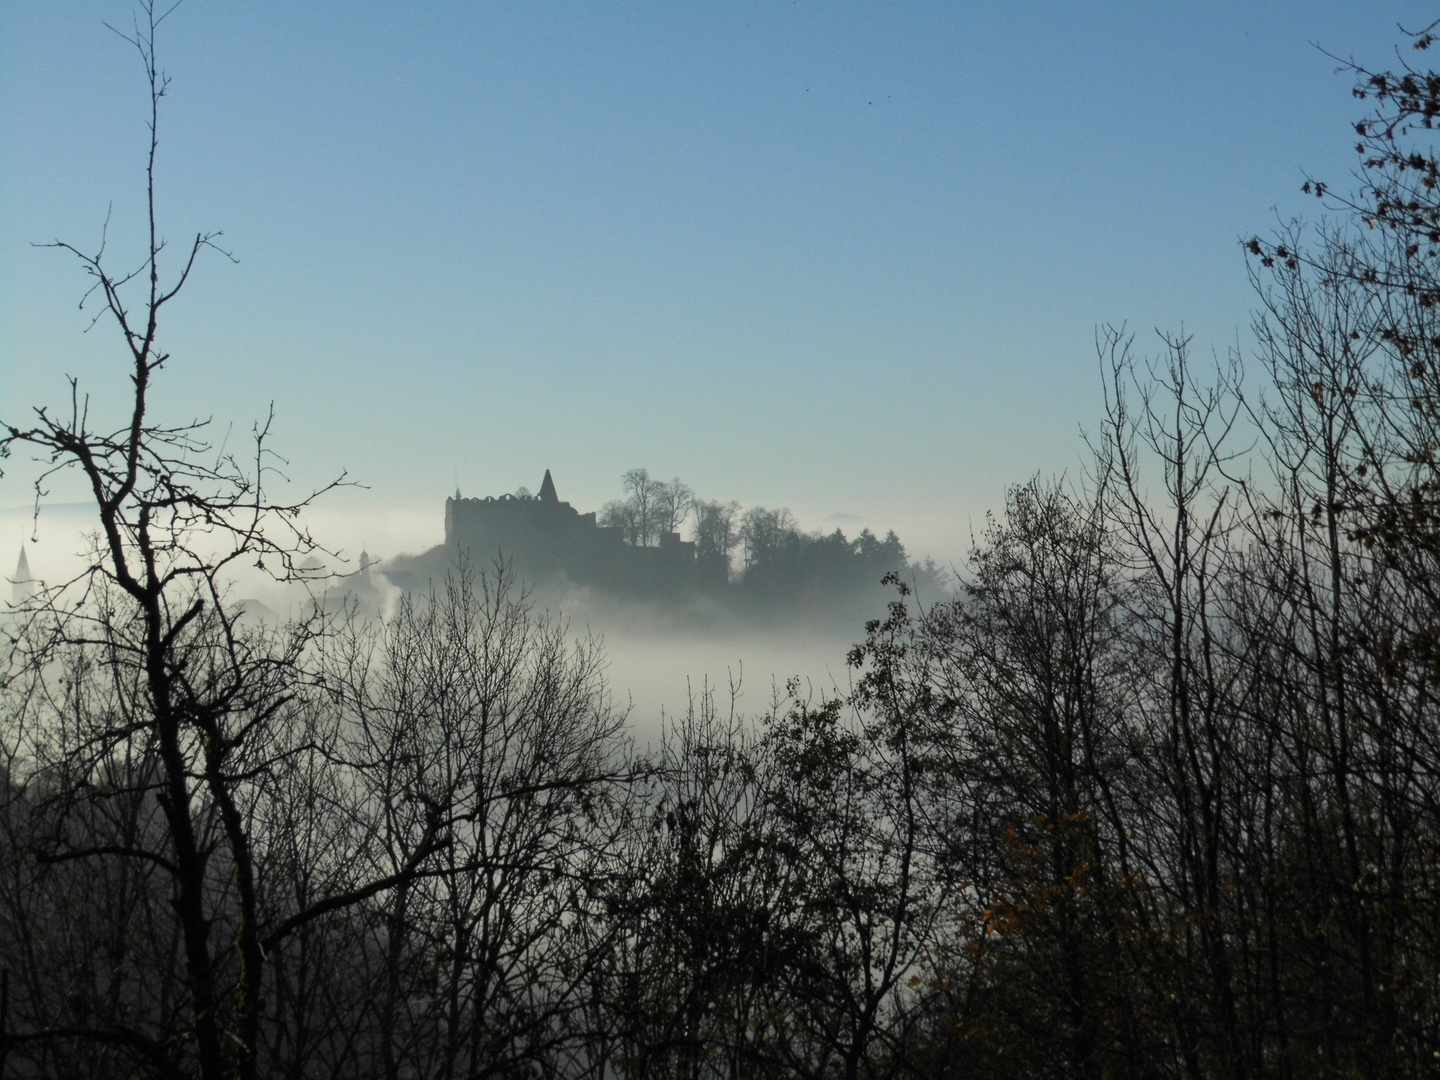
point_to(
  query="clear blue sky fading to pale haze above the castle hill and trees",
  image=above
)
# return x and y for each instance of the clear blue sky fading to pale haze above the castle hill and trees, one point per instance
(846, 258)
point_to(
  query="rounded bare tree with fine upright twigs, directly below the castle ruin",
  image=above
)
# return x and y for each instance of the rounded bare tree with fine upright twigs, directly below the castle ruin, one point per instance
(473, 702)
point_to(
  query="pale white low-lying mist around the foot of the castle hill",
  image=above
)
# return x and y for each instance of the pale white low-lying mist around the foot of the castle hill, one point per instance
(660, 654)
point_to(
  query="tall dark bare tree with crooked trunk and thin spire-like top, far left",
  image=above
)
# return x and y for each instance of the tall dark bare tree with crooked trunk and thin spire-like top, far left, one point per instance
(197, 716)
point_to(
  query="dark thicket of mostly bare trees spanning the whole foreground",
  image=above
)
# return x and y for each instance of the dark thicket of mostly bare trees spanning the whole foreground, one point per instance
(1156, 796)
